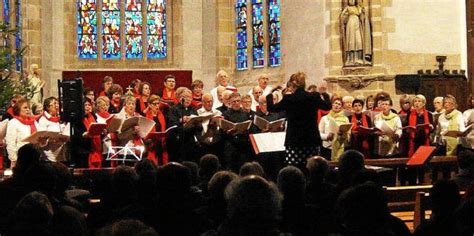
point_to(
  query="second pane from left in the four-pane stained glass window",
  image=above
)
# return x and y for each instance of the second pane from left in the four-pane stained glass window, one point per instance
(111, 29)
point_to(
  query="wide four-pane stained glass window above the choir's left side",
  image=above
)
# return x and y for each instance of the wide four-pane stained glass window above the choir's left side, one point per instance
(111, 31)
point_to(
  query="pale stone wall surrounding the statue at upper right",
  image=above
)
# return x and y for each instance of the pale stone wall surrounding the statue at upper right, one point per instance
(407, 35)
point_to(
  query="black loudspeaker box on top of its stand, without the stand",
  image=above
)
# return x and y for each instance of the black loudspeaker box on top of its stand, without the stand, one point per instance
(71, 99)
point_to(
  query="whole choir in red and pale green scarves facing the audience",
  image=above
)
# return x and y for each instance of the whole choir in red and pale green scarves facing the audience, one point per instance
(369, 125)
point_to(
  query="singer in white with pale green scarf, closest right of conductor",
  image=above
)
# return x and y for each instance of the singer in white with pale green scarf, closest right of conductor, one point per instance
(333, 143)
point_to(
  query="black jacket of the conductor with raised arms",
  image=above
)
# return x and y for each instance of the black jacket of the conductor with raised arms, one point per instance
(301, 109)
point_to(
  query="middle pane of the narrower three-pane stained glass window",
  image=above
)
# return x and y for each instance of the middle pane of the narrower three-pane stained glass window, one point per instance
(258, 40)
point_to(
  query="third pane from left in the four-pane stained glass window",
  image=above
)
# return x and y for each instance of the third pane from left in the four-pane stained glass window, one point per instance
(133, 29)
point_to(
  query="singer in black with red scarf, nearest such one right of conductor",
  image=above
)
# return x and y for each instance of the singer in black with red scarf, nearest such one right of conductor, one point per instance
(359, 141)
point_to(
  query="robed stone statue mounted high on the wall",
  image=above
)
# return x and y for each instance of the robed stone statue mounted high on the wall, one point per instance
(356, 33)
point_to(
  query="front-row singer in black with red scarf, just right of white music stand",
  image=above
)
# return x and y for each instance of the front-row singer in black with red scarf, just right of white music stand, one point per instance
(156, 149)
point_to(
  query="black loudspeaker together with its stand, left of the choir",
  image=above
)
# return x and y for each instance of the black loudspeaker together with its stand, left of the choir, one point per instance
(71, 108)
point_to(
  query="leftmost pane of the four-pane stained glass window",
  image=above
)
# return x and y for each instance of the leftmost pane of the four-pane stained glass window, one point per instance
(87, 29)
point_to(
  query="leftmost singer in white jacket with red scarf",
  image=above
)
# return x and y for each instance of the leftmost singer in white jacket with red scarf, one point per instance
(19, 127)
